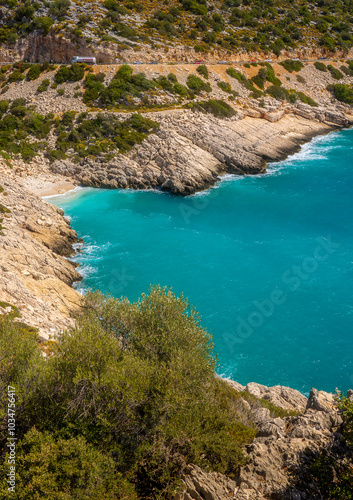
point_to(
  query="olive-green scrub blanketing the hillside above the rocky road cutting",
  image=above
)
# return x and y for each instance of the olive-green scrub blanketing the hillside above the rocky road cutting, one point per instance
(254, 25)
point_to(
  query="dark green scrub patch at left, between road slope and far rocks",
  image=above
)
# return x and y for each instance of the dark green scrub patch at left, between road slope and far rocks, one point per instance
(24, 133)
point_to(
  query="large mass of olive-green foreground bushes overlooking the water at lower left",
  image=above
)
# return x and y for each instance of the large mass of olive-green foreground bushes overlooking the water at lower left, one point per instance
(123, 403)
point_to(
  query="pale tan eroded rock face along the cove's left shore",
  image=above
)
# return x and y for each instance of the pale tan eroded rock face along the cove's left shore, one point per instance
(34, 275)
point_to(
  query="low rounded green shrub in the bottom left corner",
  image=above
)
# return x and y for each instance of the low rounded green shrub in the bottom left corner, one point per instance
(50, 468)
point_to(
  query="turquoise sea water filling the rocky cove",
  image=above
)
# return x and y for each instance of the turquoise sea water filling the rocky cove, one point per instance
(266, 260)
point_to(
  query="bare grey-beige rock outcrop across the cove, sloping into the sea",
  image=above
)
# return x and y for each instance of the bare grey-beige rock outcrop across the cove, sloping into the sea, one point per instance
(191, 151)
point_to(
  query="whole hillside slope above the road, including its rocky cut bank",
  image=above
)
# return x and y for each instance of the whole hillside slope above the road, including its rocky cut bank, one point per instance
(176, 29)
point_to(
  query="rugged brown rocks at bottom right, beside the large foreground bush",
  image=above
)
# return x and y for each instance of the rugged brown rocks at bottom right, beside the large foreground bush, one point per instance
(280, 454)
